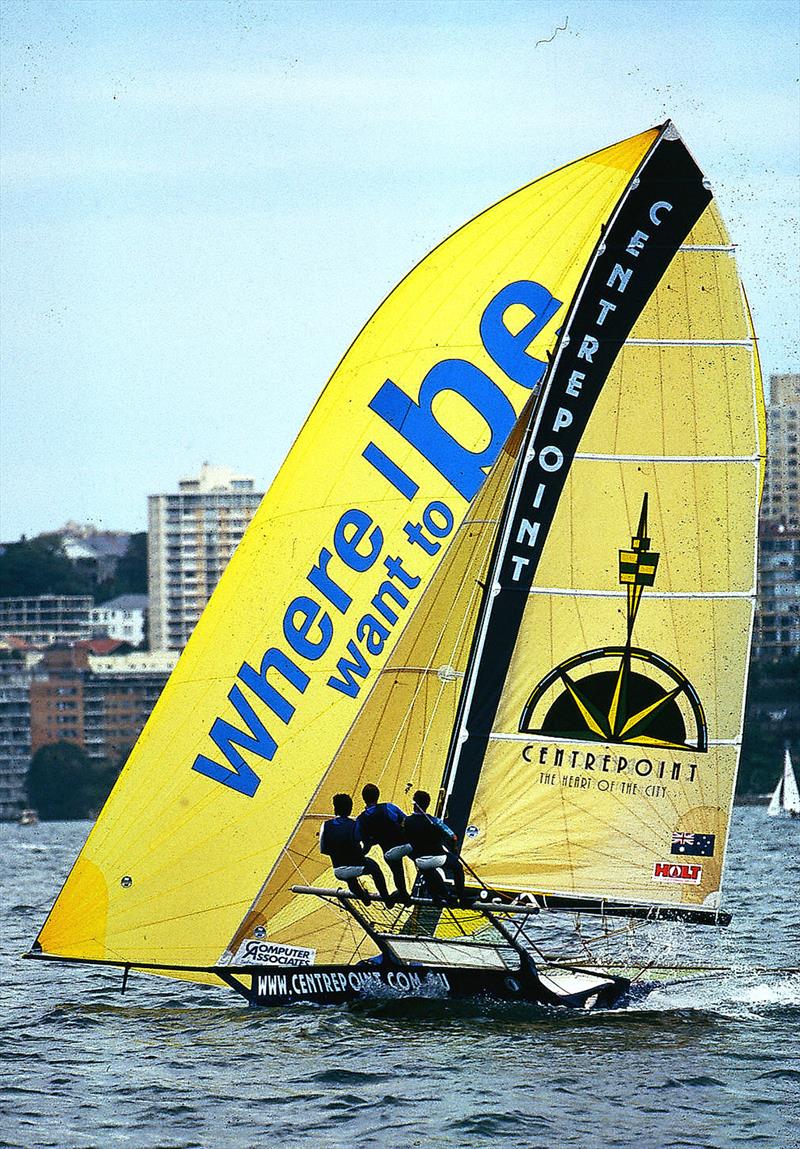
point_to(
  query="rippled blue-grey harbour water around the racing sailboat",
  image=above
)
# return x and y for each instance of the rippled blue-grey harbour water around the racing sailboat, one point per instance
(707, 1066)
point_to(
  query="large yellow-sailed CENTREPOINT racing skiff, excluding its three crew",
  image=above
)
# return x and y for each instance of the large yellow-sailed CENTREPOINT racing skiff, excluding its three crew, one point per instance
(511, 561)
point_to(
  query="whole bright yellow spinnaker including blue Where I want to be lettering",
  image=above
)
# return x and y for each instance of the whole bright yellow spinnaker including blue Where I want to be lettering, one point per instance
(370, 504)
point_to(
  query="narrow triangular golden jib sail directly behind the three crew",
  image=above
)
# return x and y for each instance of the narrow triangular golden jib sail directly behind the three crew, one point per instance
(399, 742)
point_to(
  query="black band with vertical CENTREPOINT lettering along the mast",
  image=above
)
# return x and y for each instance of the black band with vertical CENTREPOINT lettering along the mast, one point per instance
(660, 205)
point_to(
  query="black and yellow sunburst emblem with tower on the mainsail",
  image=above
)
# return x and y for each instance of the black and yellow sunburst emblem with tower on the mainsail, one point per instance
(622, 695)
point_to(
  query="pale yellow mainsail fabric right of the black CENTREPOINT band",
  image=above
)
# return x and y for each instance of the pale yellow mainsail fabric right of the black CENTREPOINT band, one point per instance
(683, 423)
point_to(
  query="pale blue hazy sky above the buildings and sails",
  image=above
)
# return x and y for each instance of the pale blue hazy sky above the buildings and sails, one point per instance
(203, 203)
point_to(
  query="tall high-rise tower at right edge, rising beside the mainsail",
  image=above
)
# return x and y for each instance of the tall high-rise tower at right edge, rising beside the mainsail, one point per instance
(781, 499)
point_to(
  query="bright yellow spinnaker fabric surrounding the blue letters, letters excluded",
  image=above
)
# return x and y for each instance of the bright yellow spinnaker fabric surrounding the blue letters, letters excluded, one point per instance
(198, 852)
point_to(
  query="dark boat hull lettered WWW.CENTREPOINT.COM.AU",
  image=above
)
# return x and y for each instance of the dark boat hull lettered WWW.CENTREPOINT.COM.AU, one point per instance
(333, 985)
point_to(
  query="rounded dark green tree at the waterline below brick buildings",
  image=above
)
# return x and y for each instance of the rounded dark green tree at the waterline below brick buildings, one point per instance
(65, 783)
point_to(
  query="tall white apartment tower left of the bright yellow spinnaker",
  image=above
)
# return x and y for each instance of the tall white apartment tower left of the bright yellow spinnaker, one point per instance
(191, 537)
